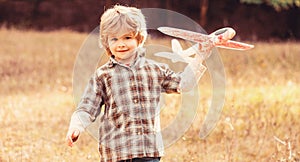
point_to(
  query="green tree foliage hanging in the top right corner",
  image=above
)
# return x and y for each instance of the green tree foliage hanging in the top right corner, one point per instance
(278, 5)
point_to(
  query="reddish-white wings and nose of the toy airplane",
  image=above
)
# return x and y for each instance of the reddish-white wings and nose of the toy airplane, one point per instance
(220, 38)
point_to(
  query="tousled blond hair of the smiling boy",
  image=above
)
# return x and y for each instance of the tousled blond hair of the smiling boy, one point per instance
(122, 20)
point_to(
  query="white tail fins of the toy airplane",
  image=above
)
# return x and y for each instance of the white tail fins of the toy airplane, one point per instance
(178, 54)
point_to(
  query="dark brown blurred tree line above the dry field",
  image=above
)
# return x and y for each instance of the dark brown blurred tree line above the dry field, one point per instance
(253, 19)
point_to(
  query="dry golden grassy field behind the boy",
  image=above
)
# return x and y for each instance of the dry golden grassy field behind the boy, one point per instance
(260, 119)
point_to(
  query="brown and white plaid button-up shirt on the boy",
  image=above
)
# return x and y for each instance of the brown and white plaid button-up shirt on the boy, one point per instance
(130, 124)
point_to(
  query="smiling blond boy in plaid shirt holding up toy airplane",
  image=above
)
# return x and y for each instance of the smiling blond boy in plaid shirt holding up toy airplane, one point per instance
(129, 86)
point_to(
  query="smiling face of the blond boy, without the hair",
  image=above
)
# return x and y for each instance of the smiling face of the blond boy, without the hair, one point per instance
(123, 47)
